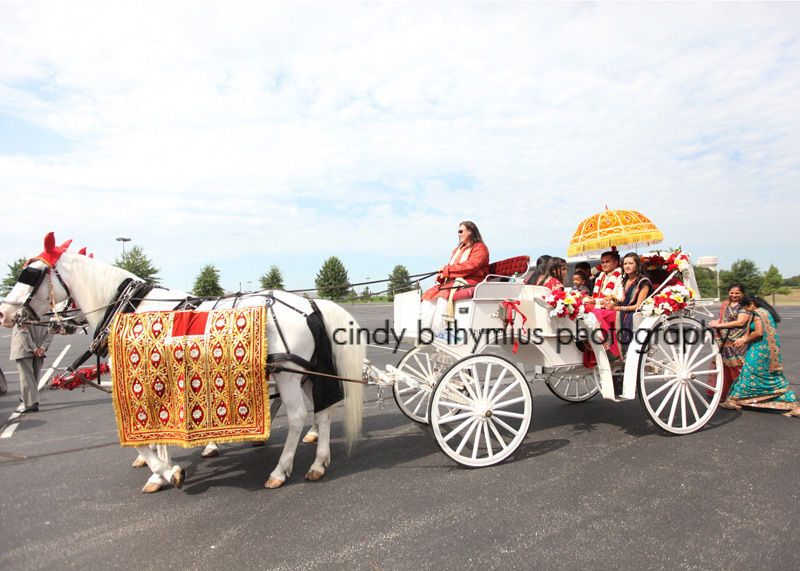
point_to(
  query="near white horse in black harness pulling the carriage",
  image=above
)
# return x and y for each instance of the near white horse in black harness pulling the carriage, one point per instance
(93, 285)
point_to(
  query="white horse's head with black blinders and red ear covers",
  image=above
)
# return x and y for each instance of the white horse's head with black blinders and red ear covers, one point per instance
(39, 286)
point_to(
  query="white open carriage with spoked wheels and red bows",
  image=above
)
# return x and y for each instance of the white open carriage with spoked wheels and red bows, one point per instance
(471, 382)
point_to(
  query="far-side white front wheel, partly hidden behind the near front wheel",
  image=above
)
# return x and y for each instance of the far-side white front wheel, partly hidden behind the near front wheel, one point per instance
(425, 364)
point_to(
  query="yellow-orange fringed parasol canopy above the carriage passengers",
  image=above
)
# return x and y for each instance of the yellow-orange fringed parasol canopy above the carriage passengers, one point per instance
(613, 228)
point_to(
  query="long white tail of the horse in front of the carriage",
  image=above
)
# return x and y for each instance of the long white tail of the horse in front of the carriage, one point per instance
(349, 359)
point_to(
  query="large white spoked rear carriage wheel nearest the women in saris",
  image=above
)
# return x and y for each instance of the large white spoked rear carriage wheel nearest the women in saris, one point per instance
(679, 365)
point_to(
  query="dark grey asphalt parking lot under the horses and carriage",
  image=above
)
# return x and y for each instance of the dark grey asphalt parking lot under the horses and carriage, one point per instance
(594, 485)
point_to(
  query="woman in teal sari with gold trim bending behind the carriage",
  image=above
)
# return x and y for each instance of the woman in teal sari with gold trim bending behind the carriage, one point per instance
(761, 383)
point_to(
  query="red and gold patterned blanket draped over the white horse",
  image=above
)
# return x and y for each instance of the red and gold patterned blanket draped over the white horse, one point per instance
(188, 378)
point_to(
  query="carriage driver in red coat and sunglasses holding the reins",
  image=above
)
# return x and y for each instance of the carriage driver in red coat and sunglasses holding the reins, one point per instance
(469, 265)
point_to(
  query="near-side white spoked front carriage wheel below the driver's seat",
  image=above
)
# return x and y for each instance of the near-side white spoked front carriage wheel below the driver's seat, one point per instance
(481, 410)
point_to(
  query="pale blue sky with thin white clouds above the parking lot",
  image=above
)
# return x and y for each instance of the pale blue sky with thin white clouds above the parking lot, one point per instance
(248, 134)
